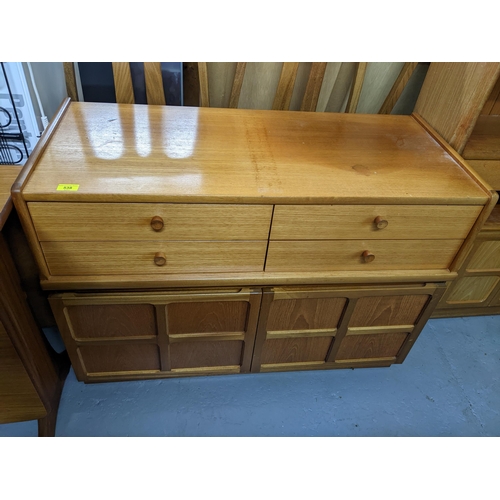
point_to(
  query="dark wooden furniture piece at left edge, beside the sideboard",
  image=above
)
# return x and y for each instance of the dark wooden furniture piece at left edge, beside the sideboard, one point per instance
(31, 373)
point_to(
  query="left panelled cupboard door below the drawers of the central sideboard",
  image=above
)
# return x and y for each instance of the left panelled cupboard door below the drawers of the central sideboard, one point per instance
(148, 335)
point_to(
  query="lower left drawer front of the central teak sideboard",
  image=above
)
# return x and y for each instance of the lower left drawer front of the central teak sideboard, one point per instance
(67, 258)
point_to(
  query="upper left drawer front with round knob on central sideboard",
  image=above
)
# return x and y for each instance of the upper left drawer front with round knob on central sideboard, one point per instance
(135, 221)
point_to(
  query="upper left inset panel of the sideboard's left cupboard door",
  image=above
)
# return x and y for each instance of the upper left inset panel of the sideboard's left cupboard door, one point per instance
(113, 320)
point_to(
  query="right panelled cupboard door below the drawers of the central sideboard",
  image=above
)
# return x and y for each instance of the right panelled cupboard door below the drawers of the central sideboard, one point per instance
(340, 326)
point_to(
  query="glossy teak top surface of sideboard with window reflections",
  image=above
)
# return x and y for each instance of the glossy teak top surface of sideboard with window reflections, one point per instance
(118, 152)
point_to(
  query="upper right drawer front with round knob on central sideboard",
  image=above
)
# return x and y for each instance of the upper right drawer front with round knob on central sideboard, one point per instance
(328, 222)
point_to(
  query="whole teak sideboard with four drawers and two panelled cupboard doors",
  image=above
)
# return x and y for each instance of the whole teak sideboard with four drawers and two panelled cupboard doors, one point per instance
(183, 241)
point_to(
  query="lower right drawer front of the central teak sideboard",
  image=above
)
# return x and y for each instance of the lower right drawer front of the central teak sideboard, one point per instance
(346, 255)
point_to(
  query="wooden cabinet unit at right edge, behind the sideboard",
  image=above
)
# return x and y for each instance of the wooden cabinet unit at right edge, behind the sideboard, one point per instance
(461, 100)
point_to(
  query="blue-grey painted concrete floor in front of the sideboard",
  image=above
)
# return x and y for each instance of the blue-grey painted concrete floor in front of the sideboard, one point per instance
(449, 385)
